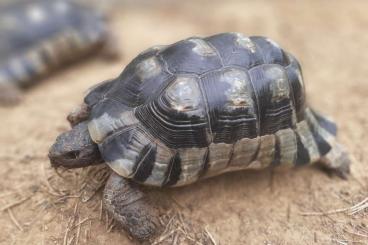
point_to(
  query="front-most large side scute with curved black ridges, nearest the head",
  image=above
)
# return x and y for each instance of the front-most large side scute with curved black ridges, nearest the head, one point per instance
(177, 117)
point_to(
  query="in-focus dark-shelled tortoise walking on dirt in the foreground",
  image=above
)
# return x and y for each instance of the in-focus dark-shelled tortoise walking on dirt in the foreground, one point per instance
(195, 109)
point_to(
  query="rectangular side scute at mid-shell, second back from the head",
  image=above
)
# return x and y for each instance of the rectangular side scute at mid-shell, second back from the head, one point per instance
(231, 105)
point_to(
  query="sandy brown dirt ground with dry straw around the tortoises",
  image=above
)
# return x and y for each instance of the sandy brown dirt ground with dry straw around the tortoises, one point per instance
(330, 38)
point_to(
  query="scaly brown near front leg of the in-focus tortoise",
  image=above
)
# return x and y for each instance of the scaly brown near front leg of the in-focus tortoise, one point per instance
(131, 208)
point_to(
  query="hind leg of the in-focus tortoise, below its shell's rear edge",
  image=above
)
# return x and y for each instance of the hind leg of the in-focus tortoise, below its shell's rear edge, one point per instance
(337, 161)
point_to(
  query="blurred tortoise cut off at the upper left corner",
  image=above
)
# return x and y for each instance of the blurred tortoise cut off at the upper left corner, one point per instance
(40, 35)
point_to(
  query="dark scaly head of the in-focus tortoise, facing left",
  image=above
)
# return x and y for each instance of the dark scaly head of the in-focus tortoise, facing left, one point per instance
(75, 149)
